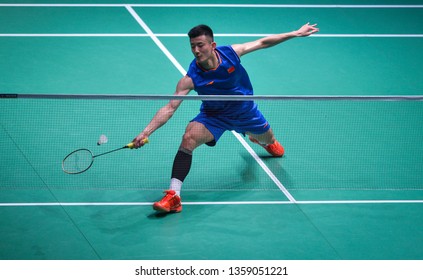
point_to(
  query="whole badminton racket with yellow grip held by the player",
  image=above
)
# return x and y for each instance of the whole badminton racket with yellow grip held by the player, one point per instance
(81, 160)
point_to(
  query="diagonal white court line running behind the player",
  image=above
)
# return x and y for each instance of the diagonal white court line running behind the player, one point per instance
(183, 72)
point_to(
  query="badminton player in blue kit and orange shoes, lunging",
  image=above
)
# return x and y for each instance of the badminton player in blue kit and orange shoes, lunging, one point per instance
(216, 71)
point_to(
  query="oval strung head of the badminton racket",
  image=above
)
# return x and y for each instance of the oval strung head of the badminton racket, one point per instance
(78, 161)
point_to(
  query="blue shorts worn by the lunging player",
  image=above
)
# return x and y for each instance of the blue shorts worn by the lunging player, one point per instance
(252, 121)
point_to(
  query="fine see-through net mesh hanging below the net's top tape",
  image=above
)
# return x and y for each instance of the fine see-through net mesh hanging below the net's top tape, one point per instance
(329, 144)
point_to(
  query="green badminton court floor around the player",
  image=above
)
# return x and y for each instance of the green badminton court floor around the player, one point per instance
(349, 187)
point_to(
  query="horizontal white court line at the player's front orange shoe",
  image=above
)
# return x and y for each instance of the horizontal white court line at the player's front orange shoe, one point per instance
(305, 202)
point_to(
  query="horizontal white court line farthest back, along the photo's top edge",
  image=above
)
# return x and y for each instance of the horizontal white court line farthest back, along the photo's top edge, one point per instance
(301, 6)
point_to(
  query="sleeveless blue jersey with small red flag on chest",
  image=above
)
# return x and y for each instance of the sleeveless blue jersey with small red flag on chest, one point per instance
(229, 78)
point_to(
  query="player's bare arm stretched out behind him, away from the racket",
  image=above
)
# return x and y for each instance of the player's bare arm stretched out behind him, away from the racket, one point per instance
(272, 40)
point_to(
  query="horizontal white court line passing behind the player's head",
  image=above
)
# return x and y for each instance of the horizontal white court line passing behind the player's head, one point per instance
(216, 35)
